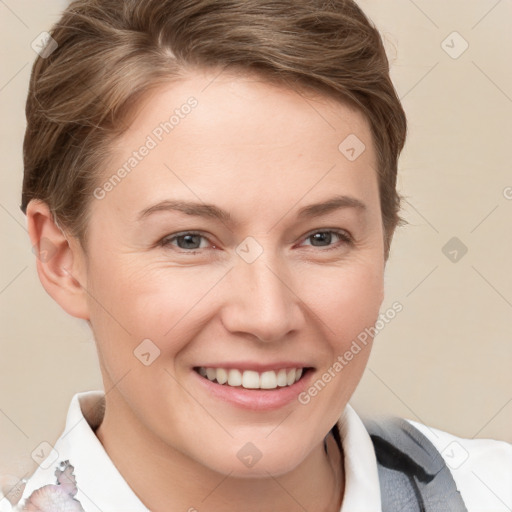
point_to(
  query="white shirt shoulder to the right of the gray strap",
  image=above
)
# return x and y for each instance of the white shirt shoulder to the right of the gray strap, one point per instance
(481, 468)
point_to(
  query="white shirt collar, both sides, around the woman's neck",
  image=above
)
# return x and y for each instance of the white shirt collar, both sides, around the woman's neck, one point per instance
(101, 488)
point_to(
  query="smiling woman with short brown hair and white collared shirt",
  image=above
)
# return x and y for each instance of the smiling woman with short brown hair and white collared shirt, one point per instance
(268, 133)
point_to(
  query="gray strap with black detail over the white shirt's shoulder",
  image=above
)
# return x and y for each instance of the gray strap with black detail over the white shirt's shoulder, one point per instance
(412, 473)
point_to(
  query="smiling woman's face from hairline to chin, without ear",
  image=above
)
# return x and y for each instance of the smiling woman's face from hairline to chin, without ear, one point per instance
(243, 276)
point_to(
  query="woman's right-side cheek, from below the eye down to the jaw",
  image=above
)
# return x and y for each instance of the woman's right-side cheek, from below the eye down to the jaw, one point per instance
(347, 302)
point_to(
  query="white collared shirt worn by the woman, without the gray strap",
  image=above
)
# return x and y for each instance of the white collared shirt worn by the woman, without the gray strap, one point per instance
(481, 468)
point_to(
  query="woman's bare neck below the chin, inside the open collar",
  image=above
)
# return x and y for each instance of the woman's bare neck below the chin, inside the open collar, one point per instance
(166, 479)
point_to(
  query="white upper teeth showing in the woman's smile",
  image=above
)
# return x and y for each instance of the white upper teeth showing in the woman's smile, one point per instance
(250, 379)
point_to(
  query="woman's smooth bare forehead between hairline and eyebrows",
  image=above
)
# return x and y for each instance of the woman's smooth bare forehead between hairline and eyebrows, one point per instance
(228, 138)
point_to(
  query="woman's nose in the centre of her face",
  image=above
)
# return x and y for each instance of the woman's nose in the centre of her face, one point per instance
(261, 300)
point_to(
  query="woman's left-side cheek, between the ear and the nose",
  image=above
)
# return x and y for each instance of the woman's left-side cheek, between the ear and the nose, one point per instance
(132, 300)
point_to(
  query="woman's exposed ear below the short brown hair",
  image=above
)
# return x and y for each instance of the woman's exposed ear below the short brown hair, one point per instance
(60, 260)
